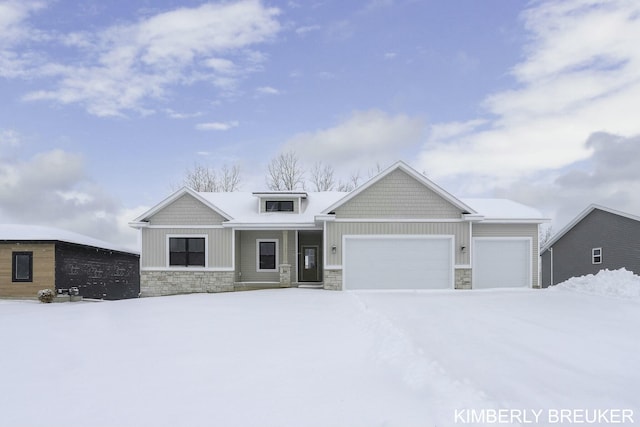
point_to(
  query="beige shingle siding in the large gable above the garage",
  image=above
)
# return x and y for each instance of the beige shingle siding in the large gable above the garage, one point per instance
(398, 195)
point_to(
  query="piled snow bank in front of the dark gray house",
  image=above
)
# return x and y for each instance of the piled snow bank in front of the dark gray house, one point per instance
(609, 283)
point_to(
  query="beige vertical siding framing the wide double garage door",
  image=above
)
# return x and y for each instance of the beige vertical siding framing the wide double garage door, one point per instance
(336, 231)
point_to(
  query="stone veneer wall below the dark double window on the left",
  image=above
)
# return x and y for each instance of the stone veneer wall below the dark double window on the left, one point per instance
(158, 283)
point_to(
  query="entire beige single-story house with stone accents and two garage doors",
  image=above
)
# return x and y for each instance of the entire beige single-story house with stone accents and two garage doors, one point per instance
(397, 231)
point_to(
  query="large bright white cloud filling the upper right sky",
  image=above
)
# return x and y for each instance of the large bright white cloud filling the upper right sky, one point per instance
(579, 75)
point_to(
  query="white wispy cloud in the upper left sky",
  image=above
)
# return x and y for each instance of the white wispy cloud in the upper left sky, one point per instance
(120, 68)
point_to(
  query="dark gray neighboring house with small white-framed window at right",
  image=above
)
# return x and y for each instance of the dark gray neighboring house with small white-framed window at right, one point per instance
(598, 238)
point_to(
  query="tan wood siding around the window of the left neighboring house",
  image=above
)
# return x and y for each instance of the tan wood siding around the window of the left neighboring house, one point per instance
(43, 269)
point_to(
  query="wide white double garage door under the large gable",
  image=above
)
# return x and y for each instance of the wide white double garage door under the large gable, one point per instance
(398, 262)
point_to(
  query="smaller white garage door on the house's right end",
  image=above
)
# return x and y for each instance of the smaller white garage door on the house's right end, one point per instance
(501, 263)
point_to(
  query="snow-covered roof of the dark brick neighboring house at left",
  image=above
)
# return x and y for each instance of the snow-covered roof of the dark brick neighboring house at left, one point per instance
(36, 233)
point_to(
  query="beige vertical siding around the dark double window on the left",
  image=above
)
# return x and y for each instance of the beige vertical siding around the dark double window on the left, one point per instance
(219, 240)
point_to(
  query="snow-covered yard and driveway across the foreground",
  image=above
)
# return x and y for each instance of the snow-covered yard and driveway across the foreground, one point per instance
(297, 357)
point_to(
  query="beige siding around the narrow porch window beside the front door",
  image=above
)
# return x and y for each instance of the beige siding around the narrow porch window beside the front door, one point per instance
(247, 255)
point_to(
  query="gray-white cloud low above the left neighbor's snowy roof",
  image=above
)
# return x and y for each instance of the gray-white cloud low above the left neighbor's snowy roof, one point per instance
(58, 181)
